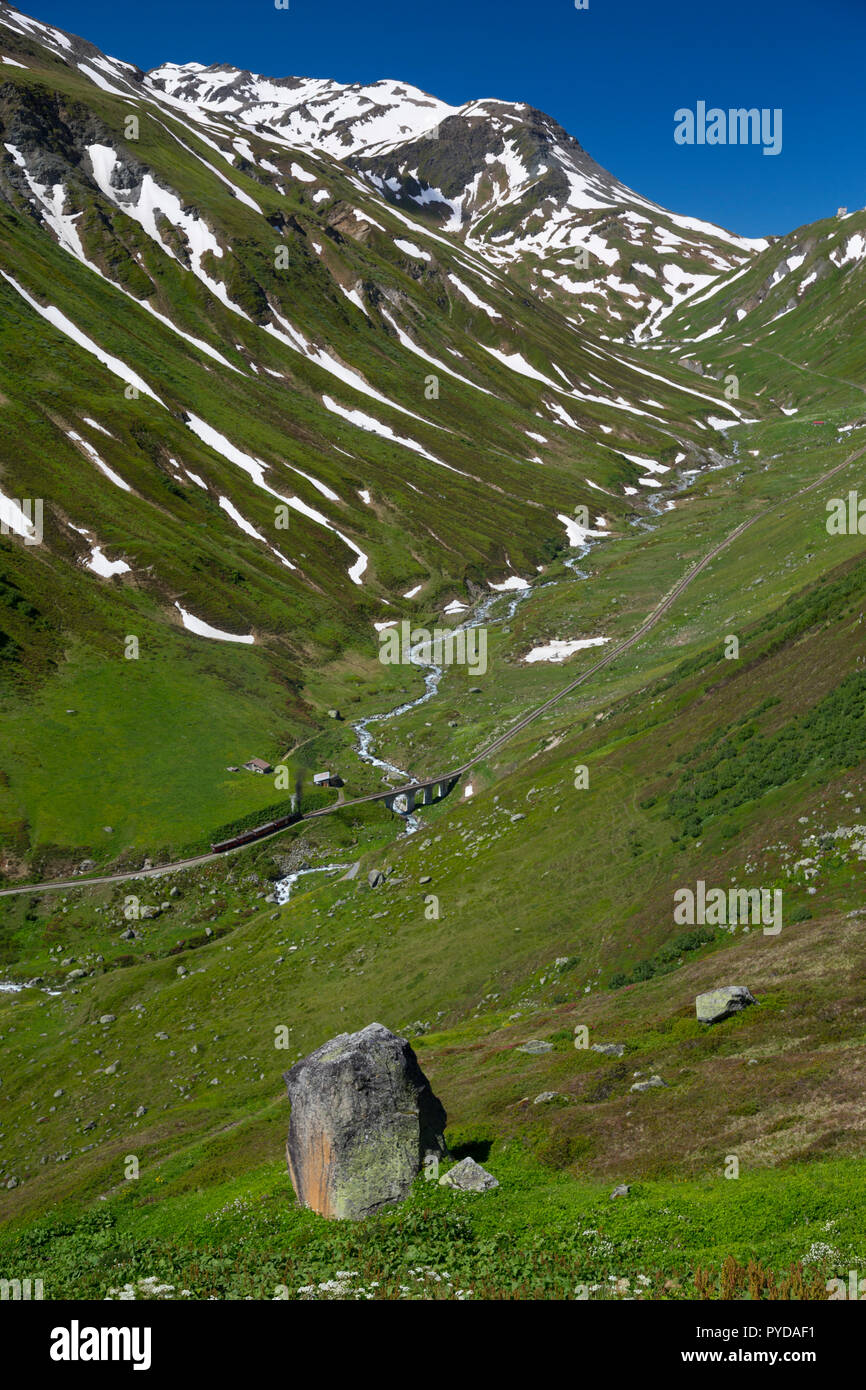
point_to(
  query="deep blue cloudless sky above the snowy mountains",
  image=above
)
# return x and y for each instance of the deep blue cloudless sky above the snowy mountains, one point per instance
(614, 76)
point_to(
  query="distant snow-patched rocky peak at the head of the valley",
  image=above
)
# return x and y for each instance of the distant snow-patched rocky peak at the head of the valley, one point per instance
(507, 179)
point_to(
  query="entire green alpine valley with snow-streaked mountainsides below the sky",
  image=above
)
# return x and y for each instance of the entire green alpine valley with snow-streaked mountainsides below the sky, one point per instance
(284, 363)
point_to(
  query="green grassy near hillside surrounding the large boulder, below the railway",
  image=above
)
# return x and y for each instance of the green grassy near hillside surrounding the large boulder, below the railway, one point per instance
(555, 908)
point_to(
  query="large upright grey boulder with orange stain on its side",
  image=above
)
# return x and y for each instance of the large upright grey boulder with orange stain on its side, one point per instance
(363, 1120)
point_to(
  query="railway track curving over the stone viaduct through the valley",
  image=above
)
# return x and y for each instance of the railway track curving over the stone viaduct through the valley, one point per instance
(52, 886)
